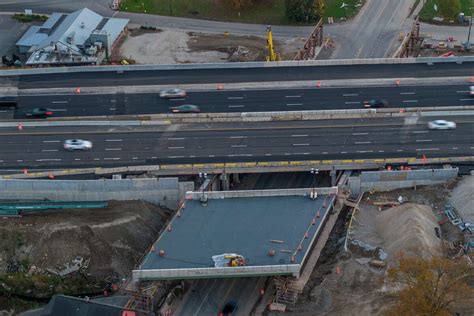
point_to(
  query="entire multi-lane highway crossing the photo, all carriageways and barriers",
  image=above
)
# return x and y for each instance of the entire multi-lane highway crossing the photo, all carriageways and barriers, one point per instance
(200, 141)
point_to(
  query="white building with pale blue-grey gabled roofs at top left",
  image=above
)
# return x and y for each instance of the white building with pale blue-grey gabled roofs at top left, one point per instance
(79, 38)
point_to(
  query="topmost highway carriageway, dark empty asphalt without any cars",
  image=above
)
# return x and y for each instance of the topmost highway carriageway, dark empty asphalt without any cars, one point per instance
(248, 74)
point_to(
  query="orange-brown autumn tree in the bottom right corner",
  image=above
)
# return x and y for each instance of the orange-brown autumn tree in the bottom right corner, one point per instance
(430, 287)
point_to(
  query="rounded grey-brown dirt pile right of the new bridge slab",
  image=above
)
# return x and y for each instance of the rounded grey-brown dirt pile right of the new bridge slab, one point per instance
(409, 228)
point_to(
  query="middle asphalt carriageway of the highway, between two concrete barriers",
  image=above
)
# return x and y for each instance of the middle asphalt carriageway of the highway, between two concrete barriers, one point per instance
(248, 100)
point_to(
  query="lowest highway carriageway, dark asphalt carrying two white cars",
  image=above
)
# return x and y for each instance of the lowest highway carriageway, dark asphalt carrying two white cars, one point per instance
(39, 148)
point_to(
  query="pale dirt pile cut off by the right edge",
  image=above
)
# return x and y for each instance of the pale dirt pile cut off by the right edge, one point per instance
(462, 198)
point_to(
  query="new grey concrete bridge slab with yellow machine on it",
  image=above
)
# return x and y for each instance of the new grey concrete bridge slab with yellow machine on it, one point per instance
(244, 225)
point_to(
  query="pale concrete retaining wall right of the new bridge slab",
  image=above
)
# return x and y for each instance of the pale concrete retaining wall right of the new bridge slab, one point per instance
(389, 180)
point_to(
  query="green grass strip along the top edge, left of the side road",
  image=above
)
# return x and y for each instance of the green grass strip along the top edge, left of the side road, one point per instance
(268, 12)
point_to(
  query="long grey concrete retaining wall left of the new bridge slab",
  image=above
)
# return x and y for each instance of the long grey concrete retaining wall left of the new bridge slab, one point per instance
(164, 191)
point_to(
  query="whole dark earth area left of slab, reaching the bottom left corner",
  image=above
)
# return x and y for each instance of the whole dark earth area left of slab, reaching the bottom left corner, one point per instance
(114, 239)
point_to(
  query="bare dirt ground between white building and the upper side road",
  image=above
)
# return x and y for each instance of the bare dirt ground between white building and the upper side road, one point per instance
(177, 47)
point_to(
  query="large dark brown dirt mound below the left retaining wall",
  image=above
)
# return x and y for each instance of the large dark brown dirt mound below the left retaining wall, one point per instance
(113, 238)
